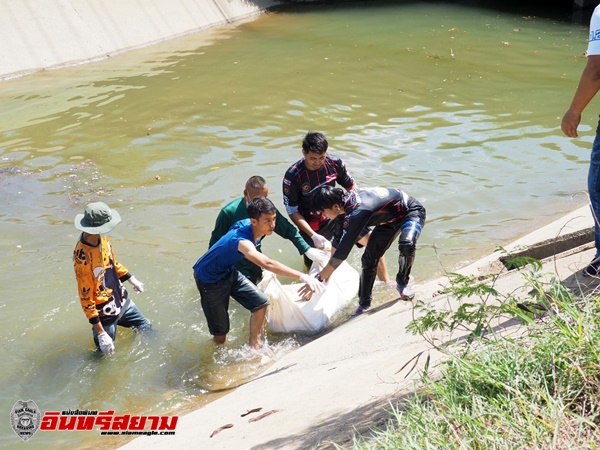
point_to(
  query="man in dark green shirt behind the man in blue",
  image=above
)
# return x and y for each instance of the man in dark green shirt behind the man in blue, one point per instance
(236, 210)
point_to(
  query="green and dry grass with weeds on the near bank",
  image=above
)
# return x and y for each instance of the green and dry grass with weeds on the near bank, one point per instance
(540, 390)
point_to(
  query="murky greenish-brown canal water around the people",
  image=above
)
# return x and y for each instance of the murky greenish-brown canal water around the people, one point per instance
(458, 105)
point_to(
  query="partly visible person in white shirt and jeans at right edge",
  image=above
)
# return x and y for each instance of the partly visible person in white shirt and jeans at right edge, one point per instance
(589, 84)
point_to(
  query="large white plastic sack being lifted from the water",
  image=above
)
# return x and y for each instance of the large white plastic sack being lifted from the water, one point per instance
(288, 312)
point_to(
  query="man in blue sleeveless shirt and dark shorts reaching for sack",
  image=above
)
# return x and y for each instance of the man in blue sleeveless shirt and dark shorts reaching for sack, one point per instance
(217, 279)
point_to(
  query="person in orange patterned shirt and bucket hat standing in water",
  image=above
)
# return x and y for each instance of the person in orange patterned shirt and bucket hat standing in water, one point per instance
(100, 278)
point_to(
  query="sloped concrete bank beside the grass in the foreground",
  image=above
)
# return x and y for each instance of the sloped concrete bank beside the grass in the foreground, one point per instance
(346, 381)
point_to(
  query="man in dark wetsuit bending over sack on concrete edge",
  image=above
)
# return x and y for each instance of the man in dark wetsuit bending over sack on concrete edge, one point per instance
(392, 212)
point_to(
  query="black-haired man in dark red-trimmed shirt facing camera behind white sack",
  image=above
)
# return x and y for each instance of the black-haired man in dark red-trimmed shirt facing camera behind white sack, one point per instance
(317, 168)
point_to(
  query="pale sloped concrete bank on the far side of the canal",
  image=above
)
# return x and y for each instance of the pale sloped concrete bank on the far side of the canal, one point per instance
(43, 34)
